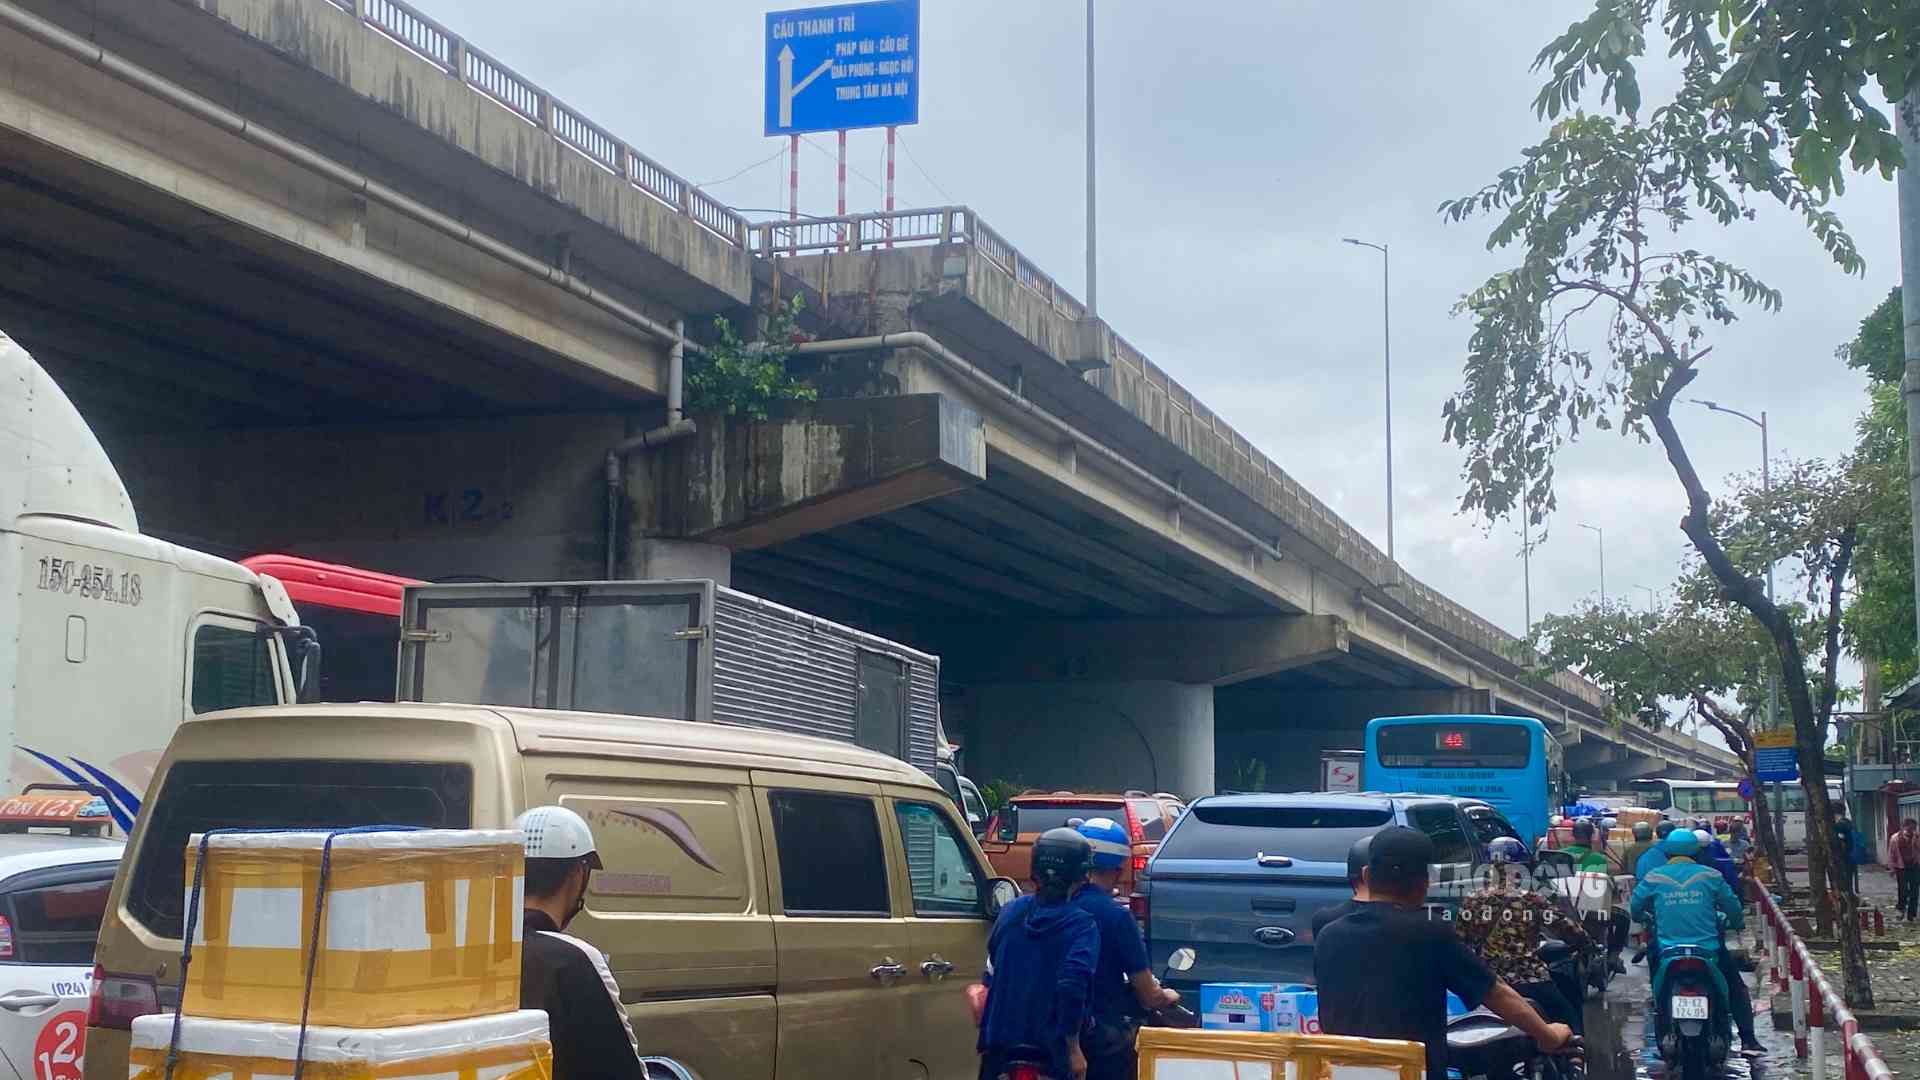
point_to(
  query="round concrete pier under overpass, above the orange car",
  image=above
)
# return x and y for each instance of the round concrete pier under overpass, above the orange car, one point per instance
(1092, 737)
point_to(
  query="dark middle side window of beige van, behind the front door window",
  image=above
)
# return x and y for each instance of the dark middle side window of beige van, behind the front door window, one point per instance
(830, 854)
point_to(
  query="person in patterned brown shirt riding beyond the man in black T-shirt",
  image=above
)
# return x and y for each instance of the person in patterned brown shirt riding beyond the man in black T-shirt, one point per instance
(1506, 921)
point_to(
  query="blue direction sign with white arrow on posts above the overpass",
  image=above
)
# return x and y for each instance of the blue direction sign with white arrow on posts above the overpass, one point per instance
(844, 66)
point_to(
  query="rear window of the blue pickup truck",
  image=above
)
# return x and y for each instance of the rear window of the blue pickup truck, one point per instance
(1307, 835)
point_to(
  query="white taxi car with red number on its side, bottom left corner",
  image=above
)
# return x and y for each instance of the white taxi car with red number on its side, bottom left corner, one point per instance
(53, 895)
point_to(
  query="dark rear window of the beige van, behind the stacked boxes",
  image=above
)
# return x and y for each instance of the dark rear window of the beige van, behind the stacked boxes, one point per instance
(281, 795)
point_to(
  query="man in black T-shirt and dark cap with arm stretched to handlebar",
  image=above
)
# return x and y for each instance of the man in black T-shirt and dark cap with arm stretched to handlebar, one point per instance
(1385, 970)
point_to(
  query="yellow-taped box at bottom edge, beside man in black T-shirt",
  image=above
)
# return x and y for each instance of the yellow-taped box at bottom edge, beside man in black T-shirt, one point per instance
(1170, 1054)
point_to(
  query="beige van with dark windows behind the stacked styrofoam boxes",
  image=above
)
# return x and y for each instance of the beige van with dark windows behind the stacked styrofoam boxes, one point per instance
(773, 906)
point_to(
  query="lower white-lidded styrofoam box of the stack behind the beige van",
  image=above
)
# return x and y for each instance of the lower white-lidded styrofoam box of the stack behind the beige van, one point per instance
(508, 1046)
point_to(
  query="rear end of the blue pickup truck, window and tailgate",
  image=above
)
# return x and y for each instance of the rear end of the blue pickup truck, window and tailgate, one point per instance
(1241, 887)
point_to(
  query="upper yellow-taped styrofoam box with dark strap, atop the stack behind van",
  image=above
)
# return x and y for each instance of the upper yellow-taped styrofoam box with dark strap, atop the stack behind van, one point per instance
(420, 927)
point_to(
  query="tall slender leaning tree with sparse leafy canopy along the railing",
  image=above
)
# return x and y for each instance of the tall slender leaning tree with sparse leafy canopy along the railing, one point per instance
(1606, 318)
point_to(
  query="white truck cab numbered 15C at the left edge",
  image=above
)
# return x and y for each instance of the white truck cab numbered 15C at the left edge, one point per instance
(110, 639)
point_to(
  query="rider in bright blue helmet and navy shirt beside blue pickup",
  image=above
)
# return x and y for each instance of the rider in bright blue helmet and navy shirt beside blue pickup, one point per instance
(1124, 987)
